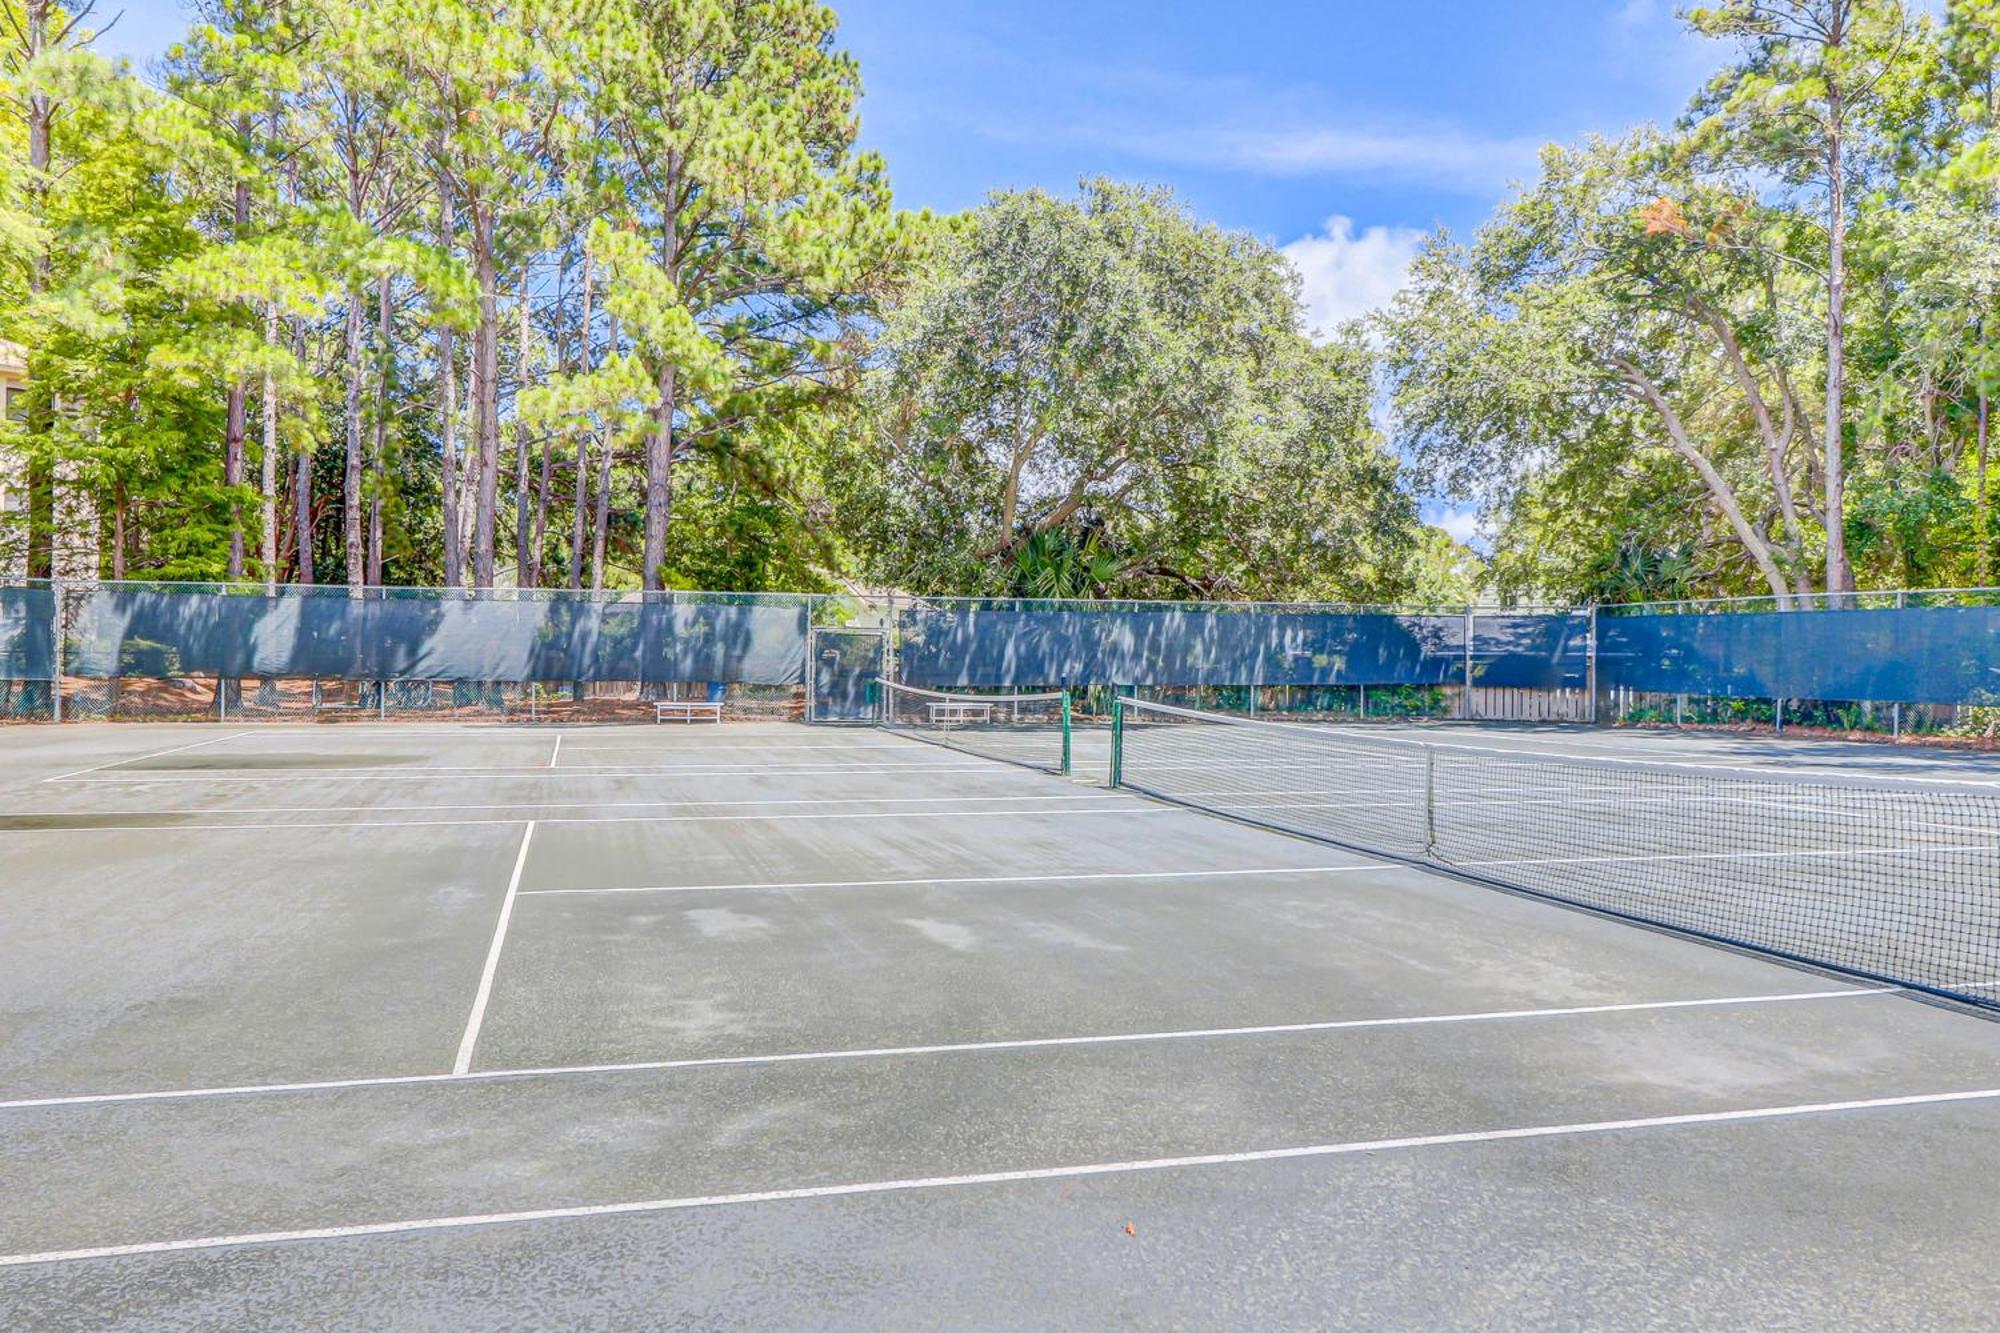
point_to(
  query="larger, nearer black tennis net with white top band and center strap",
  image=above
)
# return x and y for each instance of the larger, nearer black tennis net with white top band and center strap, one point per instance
(1887, 880)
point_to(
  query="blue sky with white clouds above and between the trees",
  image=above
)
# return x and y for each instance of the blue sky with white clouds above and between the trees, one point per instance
(1337, 129)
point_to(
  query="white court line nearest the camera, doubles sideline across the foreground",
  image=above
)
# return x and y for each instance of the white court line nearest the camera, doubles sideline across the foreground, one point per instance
(1003, 1178)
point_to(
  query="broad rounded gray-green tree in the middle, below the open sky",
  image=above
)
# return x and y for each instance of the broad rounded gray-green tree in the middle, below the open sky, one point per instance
(1107, 393)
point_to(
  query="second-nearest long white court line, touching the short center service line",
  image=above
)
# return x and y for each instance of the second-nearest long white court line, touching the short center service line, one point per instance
(955, 1048)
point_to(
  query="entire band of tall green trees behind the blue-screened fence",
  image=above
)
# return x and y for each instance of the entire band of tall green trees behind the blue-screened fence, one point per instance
(777, 379)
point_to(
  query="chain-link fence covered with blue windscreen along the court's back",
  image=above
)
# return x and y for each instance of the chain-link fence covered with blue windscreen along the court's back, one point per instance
(1873, 663)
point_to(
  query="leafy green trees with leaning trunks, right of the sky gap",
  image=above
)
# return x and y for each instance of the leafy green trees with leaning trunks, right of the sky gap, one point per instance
(1641, 369)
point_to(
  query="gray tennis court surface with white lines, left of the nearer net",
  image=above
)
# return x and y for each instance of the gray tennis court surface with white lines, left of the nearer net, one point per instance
(765, 1026)
